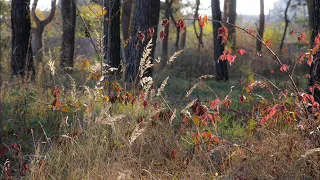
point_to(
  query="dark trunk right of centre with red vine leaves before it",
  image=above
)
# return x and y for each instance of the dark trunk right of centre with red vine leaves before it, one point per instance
(221, 66)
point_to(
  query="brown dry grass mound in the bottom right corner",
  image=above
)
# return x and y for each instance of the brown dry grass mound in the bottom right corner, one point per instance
(276, 156)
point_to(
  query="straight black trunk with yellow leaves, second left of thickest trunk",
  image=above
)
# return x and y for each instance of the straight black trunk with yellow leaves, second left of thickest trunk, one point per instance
(112, 42)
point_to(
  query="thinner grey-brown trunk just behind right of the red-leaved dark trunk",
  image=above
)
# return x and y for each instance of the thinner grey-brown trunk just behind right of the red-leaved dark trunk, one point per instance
(230, 15)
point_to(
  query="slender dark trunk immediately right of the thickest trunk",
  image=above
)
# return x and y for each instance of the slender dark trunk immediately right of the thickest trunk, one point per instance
(164, 55)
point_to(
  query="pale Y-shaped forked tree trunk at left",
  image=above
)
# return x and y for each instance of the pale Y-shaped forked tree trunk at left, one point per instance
(40, 25)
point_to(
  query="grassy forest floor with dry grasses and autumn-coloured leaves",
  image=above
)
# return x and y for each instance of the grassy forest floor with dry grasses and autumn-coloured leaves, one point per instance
(101, 131)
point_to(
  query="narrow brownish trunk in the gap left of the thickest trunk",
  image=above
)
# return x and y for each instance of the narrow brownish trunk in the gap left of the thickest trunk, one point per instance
(126, 21)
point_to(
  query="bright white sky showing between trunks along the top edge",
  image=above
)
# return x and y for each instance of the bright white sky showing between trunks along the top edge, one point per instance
(247, 7)
